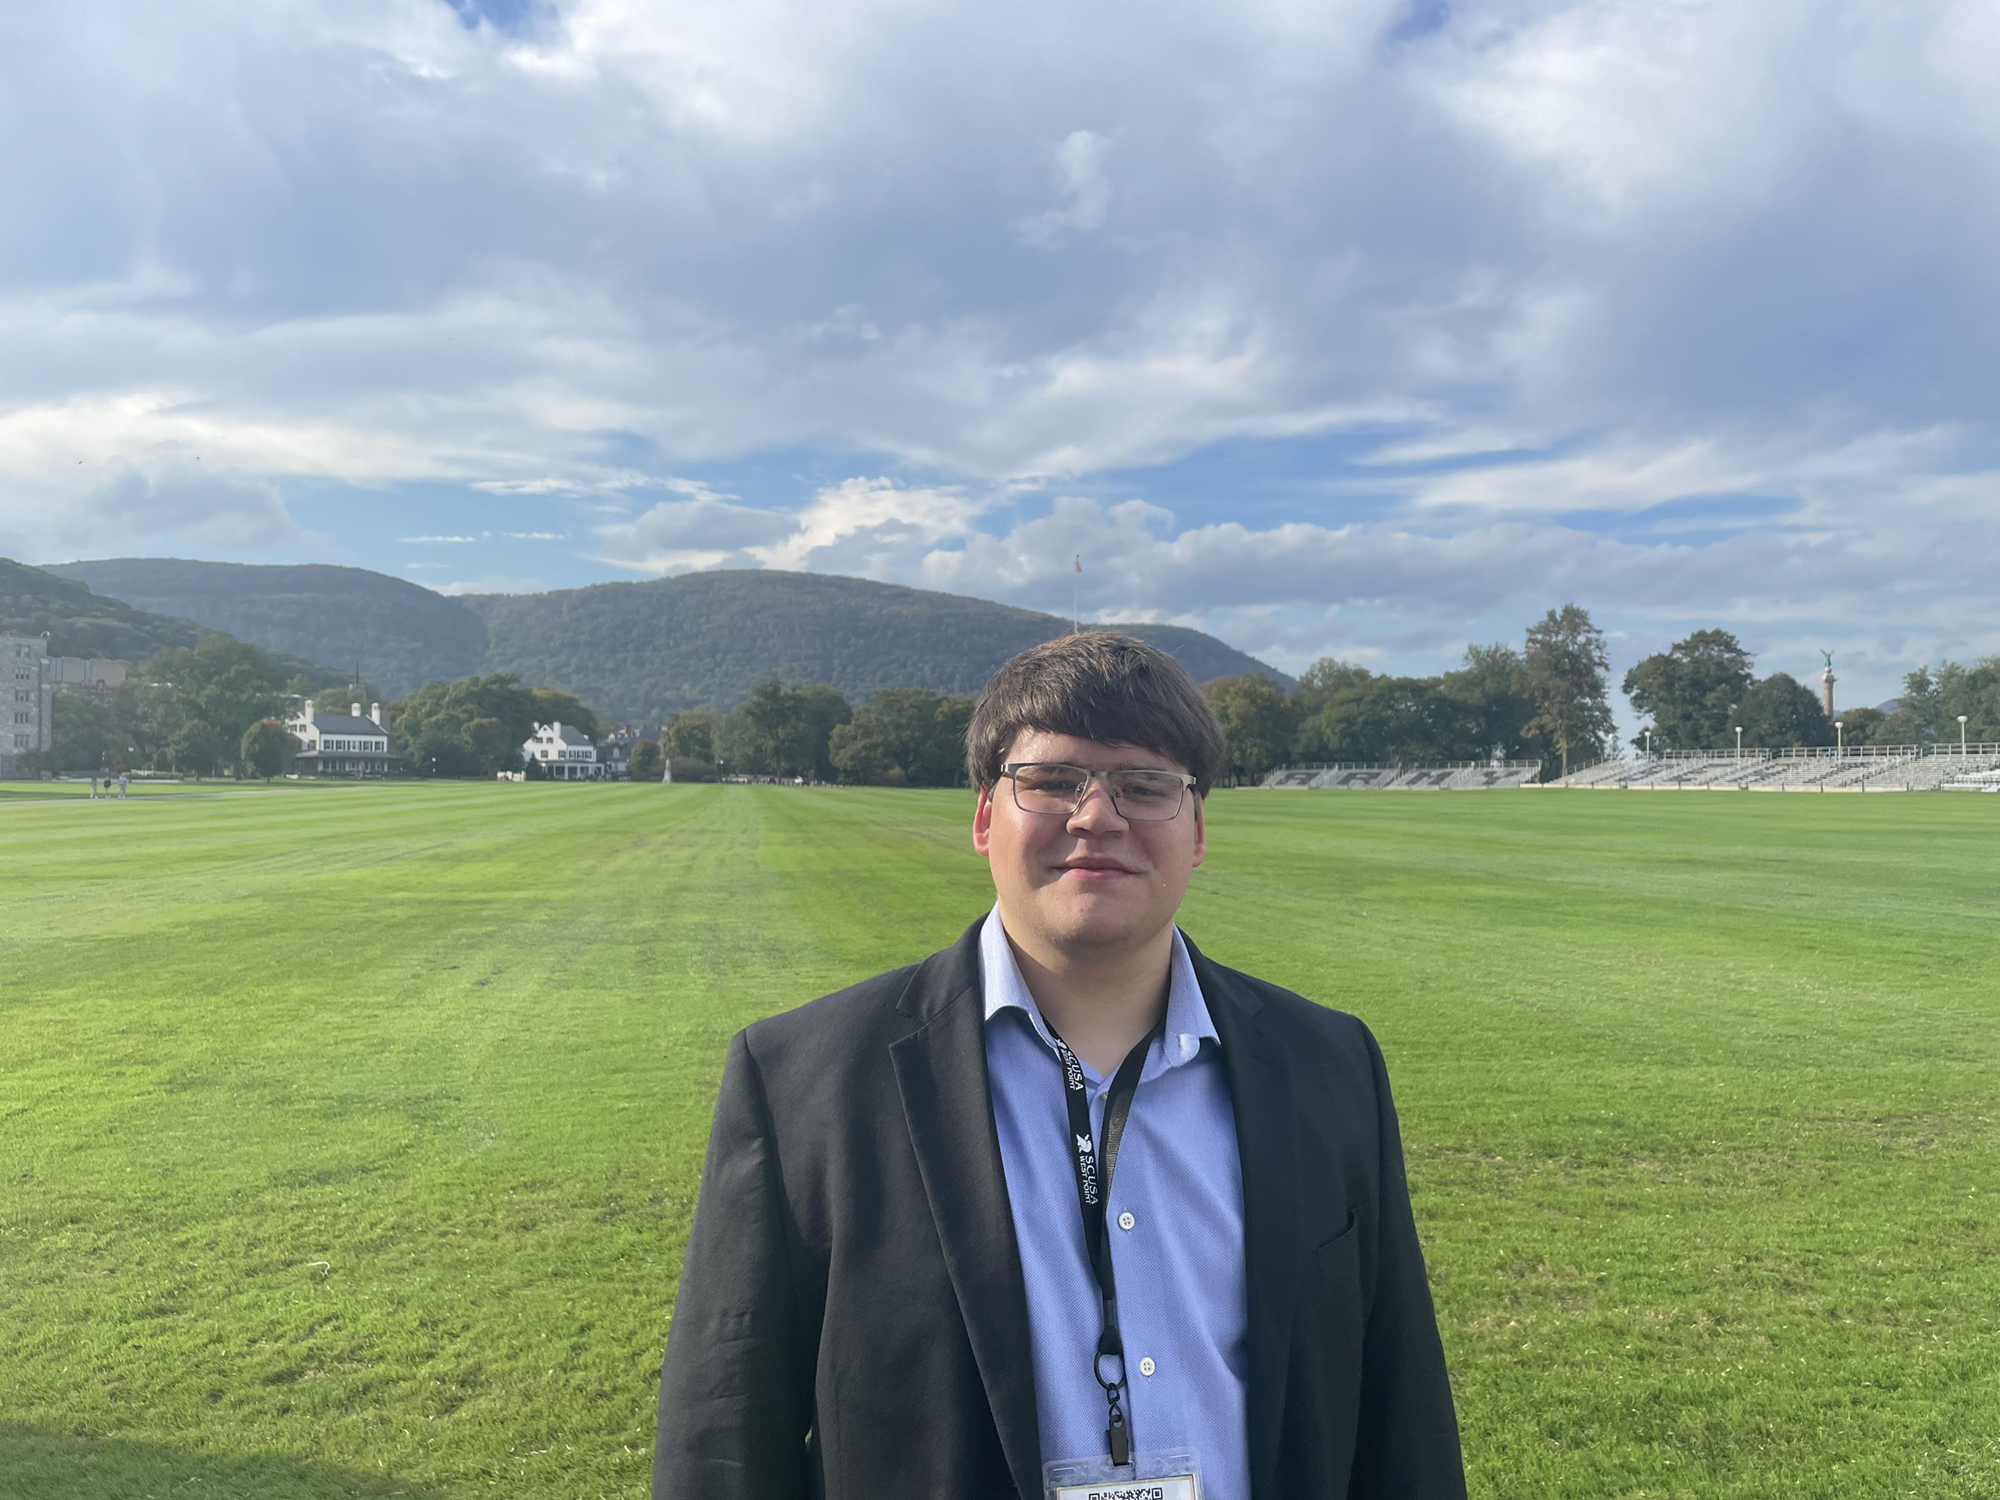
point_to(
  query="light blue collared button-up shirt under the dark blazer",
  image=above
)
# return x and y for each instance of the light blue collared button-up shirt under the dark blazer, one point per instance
(1181, 1267)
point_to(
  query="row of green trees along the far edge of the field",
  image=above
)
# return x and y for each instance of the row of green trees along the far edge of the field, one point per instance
(219, 705)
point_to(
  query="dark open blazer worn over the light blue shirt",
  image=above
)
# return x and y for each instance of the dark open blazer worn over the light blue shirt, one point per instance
(853, 1319)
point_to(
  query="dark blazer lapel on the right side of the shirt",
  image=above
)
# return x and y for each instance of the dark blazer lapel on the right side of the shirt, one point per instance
(1267, 1141)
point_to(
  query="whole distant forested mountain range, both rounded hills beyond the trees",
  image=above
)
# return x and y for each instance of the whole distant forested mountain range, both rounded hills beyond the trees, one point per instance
(631, 651)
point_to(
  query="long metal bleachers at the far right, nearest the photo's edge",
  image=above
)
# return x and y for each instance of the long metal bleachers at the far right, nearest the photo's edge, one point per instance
(1801, 769)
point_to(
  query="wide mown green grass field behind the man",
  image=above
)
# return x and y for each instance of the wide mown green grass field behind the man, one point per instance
(349, 1137)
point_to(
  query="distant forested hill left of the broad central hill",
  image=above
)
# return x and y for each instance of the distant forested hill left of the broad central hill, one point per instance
(401, 635)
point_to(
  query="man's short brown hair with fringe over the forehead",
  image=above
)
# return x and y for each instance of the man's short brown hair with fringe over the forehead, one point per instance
(1097, 687)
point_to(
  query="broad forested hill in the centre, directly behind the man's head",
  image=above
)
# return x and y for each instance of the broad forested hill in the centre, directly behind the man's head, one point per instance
(643, 651)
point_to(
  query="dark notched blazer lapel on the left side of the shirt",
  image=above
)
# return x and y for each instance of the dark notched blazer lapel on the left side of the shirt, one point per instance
(941, 1071)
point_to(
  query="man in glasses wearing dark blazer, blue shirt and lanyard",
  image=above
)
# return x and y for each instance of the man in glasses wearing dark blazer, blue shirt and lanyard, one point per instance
(913, 1277)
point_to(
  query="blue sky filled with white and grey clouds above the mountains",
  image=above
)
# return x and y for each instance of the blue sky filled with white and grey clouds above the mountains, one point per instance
(1355, 329)
